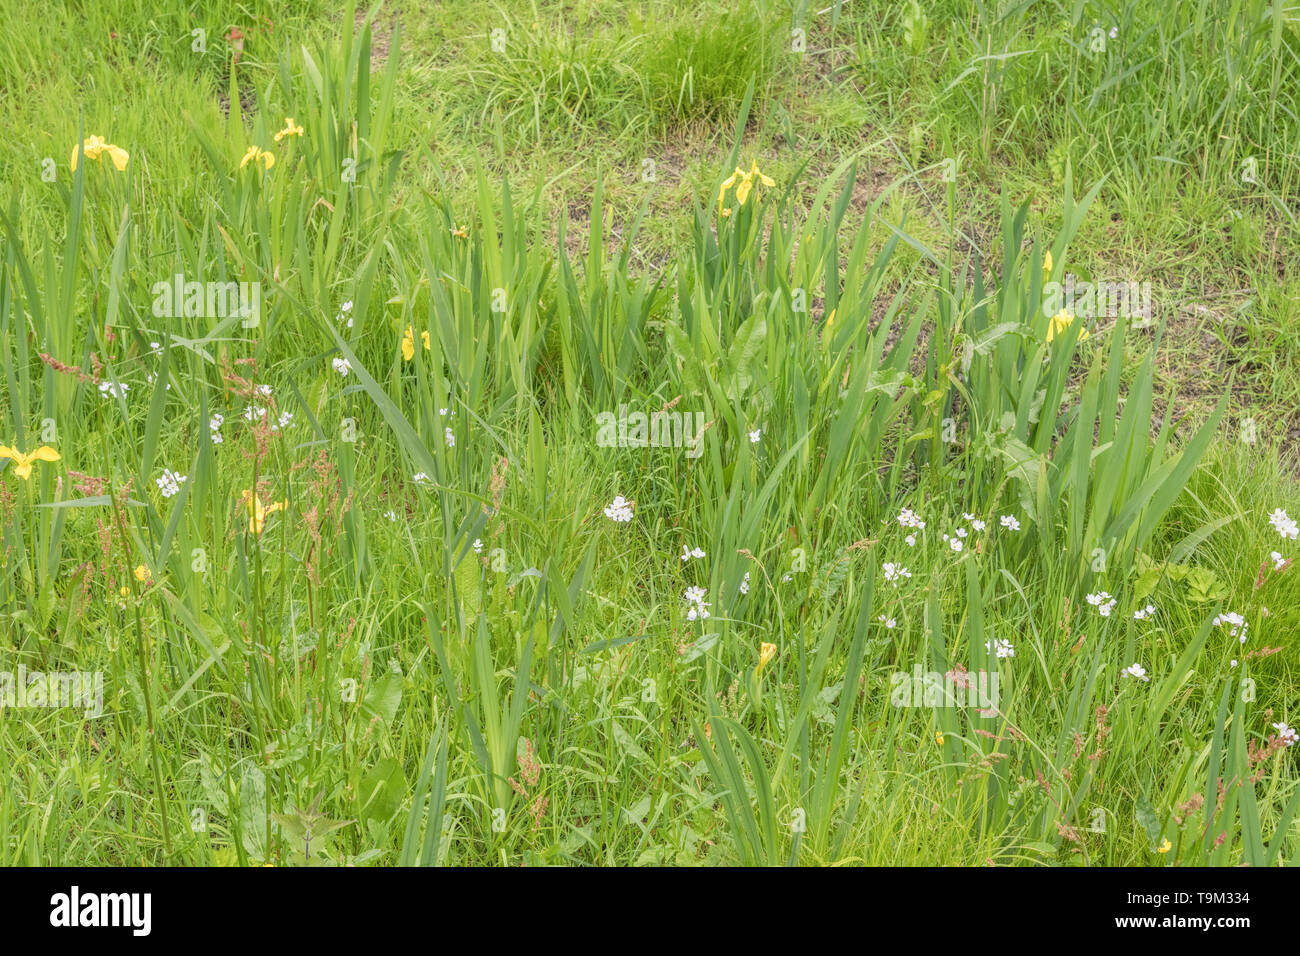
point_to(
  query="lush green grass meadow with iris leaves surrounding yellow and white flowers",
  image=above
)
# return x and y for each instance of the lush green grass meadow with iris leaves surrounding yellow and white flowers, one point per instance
(441, 650)
